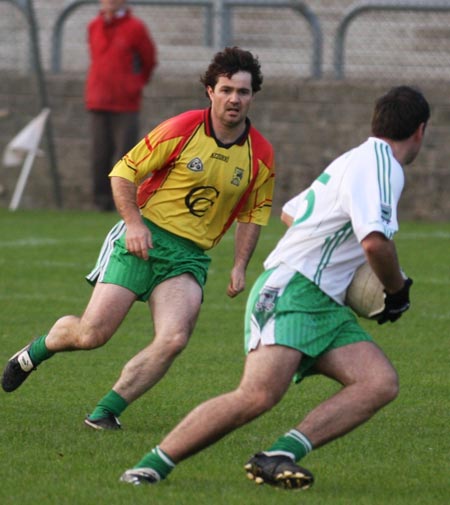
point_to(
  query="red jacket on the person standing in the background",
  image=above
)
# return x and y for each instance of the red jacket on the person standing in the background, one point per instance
(123, 57)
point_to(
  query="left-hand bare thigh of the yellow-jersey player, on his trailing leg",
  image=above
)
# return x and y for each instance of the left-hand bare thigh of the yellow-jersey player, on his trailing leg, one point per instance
(107, 308)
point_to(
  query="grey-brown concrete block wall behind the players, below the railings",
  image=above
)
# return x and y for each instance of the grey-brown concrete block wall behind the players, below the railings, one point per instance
(308, 122)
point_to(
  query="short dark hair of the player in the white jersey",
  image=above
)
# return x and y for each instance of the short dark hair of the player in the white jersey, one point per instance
(399, 113)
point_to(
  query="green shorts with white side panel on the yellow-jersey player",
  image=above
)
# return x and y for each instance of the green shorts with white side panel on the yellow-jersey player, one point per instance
(171, 256)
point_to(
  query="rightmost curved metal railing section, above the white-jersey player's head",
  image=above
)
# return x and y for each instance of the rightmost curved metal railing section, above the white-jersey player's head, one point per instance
(359, 8)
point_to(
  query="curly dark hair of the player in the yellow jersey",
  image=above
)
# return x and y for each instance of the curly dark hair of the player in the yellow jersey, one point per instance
(230, 61)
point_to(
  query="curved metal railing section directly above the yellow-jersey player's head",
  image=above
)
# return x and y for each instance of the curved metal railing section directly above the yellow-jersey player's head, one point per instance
(298, 7)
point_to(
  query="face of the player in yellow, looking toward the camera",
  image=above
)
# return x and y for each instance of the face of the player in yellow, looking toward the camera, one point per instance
(231, 98)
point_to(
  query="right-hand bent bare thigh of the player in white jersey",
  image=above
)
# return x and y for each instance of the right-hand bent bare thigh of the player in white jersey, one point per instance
(357, 362)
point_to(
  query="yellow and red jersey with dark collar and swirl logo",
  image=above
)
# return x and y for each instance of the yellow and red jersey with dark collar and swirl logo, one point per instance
(195, 187)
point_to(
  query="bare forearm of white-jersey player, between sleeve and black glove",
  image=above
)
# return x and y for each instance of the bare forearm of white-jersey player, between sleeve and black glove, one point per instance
(381, 253)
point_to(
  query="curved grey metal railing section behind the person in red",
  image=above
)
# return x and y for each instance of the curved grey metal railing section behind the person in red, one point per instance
(57, 32)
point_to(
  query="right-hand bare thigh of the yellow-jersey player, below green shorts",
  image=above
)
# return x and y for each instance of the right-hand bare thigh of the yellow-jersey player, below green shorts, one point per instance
(175, 305)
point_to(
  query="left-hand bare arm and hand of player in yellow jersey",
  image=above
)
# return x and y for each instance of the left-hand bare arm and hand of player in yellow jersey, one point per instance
(138, 236)
